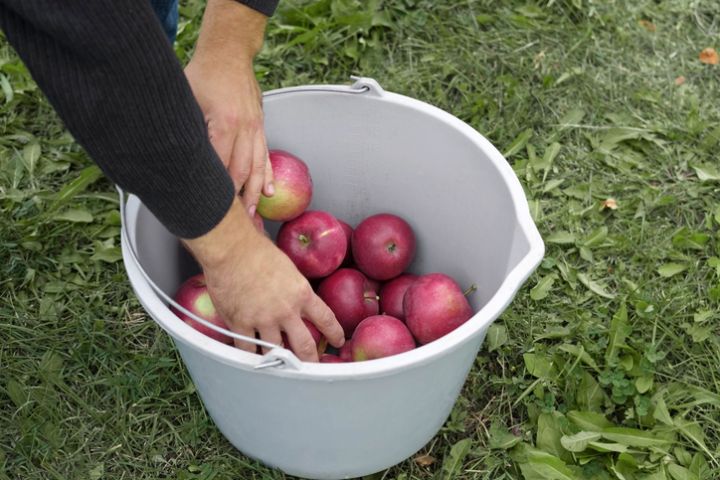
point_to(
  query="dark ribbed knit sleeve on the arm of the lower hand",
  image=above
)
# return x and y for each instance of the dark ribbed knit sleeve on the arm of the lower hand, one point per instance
(112, 76)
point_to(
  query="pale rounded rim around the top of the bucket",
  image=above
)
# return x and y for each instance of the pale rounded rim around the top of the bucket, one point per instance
(424, 354)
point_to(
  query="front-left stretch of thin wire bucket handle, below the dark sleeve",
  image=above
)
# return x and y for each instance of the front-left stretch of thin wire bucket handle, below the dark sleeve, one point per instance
(277, 356)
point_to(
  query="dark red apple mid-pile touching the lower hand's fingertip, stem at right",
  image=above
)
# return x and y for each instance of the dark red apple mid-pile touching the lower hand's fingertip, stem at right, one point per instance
(348, 294)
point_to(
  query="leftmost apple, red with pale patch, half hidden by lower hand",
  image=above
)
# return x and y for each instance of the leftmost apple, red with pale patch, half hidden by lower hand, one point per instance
(193, 295)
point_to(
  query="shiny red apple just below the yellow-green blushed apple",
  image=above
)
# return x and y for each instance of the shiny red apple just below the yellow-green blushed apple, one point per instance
(315, 242)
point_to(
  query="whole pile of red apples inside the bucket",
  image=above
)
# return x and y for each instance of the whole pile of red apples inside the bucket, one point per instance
(360, 273)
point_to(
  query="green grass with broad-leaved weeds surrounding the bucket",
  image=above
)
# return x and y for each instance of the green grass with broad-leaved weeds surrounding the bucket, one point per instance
(583, 99)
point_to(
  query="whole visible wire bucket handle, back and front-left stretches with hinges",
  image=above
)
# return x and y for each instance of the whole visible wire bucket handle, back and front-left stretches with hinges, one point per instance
(277, 356)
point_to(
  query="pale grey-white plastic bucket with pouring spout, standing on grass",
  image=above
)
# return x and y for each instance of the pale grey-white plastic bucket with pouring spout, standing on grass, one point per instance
(369, 151)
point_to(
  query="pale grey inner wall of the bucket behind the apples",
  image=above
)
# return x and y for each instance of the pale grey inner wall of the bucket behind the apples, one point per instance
(370, 155)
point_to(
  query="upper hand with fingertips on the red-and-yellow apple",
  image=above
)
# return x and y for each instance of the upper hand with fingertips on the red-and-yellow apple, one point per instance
(223, 81)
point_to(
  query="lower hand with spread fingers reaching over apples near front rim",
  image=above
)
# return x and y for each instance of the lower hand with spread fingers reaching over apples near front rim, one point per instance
(256, 288)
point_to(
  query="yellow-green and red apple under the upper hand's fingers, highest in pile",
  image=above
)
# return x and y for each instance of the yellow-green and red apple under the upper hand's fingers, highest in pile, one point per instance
(293, 188)
